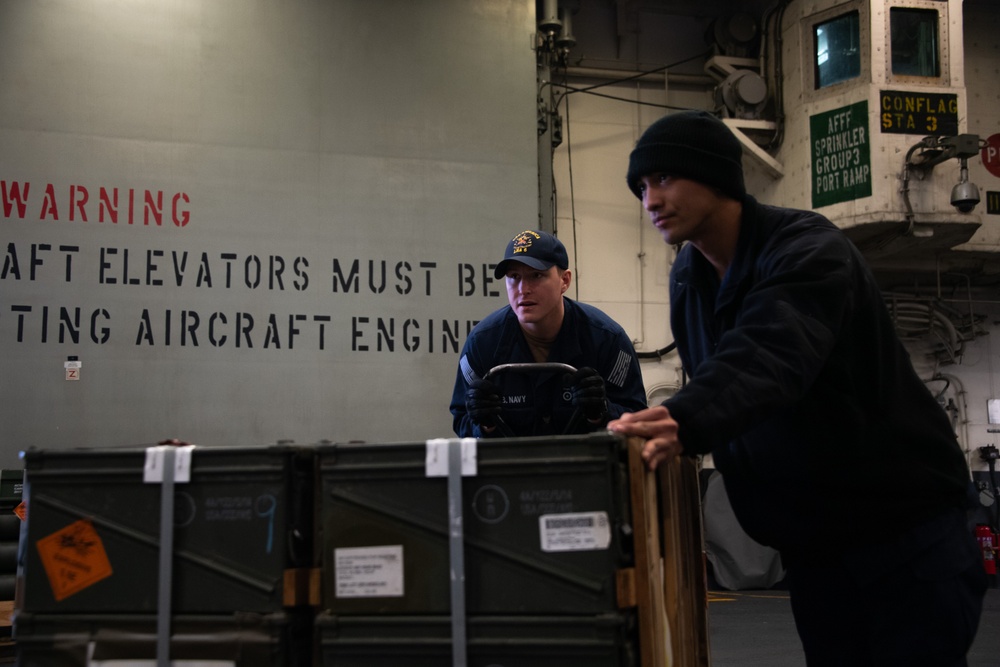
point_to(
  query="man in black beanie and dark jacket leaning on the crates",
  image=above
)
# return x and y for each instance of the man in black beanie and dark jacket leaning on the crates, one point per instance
(797, 382)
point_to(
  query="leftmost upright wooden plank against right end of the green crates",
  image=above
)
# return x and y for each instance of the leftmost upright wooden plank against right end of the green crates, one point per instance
(654, 632)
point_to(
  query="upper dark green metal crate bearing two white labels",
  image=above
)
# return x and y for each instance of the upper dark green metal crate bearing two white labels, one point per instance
(546, 527)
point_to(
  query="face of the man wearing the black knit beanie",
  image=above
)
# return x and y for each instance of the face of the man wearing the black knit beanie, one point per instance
(681, 209)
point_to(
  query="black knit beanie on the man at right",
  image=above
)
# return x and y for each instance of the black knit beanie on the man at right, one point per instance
(689, 144)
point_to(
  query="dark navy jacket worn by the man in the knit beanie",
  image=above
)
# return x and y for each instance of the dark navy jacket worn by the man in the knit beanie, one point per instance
(802, 392)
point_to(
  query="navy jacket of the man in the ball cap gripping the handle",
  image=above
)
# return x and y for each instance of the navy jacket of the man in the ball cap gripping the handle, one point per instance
(537, 403)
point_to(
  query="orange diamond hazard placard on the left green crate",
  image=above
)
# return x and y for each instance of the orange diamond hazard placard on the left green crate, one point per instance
(74, 558)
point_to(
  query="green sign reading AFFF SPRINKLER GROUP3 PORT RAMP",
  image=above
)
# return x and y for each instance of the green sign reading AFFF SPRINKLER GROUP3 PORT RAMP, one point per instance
(841, 155)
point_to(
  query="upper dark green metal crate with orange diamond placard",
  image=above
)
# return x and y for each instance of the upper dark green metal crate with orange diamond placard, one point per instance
(91, 544)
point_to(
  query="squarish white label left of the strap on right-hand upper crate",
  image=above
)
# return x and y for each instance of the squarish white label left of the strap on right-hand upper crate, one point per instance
(369, 572)
